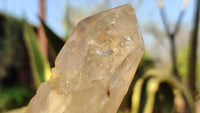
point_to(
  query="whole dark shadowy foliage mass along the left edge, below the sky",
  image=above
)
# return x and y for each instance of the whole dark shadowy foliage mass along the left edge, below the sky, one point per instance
(13, 59)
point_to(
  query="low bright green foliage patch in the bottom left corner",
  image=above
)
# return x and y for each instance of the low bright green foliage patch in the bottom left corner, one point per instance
(14, 97)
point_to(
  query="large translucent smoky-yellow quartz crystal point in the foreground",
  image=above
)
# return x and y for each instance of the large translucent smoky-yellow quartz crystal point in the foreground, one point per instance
(95, 67)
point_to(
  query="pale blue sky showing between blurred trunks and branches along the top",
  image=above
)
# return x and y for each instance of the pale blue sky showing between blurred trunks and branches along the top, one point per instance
(56, 10)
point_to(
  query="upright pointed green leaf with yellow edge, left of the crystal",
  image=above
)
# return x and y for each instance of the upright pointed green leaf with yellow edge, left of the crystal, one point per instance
(39, 64)
